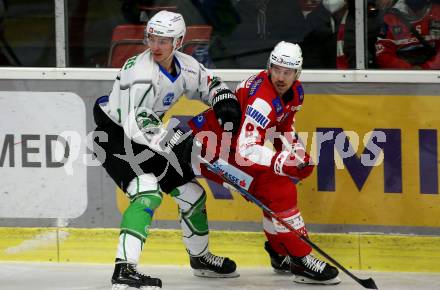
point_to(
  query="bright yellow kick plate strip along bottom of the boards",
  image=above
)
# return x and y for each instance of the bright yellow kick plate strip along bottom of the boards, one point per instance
(354, 251)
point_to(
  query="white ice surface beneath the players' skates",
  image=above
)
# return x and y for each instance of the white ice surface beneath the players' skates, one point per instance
(59, 276)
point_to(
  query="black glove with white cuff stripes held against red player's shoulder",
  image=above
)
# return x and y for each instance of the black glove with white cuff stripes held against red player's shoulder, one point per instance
(227, 110)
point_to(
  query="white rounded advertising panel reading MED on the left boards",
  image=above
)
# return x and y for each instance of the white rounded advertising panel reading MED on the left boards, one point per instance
(41, 164)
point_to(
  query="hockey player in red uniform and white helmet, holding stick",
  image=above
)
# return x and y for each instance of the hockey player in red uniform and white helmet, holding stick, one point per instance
(269, 102)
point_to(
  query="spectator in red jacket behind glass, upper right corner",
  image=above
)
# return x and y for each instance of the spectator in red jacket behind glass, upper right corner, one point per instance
(410, 36)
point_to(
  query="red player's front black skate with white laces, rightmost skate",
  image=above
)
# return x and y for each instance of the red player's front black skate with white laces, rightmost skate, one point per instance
(310, 270)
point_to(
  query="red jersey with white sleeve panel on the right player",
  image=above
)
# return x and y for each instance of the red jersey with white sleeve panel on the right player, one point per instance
(265, 116)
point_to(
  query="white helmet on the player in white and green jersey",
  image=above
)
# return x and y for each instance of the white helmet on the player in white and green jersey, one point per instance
(168, 24)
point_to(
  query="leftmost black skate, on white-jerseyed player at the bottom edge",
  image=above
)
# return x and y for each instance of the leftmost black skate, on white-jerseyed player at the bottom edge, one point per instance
(126, 275)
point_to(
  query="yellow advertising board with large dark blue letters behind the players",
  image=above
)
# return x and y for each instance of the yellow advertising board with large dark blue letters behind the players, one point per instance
(398, 189)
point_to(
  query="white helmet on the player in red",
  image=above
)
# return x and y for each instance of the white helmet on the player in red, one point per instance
(288, 55)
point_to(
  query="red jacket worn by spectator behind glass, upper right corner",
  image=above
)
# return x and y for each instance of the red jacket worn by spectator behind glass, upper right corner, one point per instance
(397, 47)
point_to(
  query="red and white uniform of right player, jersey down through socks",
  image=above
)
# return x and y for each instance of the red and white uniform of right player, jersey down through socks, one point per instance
(250, 164)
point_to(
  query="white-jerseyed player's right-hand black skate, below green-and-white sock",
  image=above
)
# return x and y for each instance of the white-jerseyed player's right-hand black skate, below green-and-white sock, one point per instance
(213, 266)
